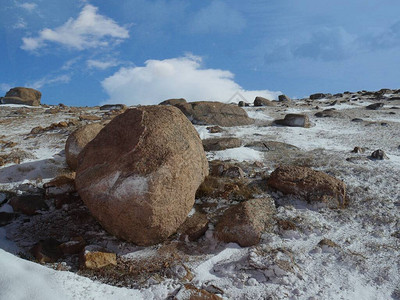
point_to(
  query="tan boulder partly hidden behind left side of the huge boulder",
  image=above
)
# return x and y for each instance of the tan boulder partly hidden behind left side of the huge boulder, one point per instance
(77, 140)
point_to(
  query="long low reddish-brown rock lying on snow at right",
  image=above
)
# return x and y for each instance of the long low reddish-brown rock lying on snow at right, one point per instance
(312, 186)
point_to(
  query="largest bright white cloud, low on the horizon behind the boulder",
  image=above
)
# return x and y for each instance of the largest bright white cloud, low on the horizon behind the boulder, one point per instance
(175, 78)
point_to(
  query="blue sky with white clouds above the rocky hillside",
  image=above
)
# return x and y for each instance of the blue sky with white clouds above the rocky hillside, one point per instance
(91, 52)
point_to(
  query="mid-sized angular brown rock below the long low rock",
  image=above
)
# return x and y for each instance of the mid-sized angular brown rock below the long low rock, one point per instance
(245, 222)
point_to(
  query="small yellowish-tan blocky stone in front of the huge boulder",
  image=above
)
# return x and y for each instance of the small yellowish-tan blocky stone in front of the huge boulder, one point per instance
(95, 257)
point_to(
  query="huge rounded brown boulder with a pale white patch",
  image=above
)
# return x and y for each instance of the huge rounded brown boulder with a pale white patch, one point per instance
(139, 175)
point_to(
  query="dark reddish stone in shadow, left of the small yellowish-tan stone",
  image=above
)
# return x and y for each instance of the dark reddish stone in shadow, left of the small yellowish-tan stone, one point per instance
(47, 251)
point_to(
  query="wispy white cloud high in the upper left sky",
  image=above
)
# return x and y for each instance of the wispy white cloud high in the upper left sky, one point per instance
(89, 30)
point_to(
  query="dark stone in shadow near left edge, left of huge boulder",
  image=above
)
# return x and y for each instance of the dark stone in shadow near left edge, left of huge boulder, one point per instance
(28, 204)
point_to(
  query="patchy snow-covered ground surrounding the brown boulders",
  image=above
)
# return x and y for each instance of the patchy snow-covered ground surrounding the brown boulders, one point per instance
(362, 263)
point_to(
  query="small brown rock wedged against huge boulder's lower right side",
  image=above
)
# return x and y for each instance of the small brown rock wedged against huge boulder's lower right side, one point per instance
(194, 227)
